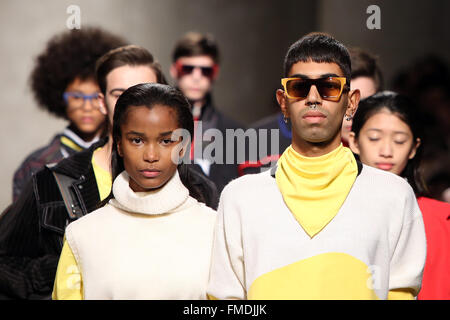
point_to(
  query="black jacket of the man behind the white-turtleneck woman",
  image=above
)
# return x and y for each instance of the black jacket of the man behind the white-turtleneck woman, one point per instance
(32, 228)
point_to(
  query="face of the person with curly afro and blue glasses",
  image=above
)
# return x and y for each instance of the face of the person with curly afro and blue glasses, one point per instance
(87, 121)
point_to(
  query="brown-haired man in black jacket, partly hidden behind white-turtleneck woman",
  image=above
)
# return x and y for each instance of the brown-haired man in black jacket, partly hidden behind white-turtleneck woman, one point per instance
(32, 229)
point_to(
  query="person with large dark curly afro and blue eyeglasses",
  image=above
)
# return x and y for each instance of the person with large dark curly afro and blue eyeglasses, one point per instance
(63, 83)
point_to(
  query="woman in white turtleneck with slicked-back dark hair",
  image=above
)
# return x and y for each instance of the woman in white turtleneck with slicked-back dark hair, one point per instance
(153, 238)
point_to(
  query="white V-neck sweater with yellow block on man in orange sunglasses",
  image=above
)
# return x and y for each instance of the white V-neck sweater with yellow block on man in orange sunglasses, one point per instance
(373, 248)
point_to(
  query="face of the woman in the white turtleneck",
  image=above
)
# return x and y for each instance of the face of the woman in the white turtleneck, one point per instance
(146, 146)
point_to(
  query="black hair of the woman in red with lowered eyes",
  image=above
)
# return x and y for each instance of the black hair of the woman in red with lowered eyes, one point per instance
(406, 110)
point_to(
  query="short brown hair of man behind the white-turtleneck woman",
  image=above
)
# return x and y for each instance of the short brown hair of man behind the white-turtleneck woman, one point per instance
(130, 55)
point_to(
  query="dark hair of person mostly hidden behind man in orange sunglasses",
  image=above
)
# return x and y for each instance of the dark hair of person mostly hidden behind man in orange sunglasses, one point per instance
(365, 64)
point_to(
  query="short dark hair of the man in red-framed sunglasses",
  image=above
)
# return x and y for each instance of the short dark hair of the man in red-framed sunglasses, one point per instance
(196, 44)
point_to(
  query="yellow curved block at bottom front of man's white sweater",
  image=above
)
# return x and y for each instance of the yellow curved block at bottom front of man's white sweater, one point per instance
(326, 276)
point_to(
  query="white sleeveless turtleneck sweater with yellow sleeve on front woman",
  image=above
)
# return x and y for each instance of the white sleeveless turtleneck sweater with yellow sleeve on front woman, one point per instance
(152, 245)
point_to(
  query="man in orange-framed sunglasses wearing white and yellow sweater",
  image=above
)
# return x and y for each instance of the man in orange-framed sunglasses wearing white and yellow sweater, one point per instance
(319, 224)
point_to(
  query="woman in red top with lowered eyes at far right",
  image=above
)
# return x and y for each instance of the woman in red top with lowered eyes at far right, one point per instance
(387, 134)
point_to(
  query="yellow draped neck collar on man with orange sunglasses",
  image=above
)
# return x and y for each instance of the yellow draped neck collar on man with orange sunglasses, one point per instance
(314, 188)
